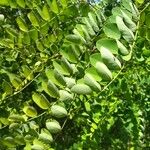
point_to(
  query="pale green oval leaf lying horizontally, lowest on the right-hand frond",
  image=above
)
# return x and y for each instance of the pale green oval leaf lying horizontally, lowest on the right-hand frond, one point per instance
(81, 89)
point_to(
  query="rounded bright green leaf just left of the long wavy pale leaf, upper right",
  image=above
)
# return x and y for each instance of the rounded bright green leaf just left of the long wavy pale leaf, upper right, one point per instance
(111, 30)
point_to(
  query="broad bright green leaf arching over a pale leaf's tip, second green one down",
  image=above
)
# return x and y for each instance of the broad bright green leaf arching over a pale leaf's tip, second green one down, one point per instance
(107, 43)
